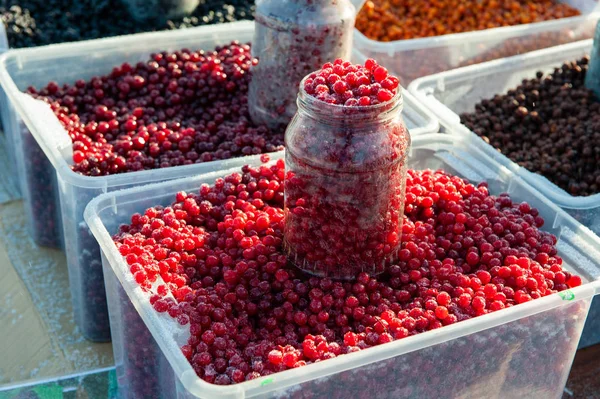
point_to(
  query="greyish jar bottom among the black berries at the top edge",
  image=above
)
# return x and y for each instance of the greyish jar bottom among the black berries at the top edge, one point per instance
(151, 10)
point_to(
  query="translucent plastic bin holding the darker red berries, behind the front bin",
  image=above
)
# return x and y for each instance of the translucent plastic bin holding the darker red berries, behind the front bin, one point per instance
(44, 150)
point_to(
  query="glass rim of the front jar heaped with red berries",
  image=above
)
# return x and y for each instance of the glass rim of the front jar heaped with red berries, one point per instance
(306, 101)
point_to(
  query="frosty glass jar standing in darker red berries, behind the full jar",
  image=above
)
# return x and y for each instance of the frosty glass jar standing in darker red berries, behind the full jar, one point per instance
(292, 38)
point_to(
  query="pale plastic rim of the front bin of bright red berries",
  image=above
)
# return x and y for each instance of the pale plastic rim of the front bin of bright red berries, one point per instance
(288, 378)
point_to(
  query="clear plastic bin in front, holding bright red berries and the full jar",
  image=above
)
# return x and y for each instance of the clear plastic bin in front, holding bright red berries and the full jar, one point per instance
(524, 351)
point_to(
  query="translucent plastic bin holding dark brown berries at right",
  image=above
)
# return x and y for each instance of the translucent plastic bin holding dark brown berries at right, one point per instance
(451, 93)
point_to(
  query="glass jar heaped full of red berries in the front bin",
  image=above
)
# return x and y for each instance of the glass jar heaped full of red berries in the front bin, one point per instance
(346, 153)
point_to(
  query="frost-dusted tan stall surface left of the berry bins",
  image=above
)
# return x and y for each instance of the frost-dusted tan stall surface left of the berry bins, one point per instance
(39, 336)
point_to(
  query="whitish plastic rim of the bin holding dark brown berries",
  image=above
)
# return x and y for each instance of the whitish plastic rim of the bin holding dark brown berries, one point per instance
(557, 195)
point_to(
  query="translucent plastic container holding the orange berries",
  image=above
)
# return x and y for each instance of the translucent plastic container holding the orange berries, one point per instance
(414, 58)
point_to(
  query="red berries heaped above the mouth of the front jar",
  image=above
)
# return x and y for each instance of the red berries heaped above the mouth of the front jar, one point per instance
(343, 83)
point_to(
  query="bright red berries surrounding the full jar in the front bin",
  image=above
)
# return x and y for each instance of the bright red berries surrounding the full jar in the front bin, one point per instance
(217, 258)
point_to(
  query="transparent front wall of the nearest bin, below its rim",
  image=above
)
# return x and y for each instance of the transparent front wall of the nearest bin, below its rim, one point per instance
(530, 357)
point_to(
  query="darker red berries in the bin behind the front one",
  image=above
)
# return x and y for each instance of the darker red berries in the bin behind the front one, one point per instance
(177, 108)
